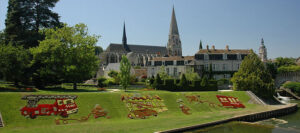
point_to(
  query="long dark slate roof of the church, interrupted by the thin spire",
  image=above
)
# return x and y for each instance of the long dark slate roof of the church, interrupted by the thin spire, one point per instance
(144, 49)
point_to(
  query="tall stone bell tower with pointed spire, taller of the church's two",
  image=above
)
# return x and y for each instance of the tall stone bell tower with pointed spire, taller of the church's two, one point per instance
(174, 43)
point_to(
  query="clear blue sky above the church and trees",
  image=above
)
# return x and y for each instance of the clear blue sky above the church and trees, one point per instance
(238, 23)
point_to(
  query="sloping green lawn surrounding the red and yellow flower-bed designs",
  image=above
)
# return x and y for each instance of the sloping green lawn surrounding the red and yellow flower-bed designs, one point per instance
(10, 103)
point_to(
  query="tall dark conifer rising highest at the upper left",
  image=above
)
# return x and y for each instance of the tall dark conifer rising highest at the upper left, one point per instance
(26, 17)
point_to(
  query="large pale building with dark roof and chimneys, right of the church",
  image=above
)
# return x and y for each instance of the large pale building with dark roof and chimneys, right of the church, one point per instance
(222, 62)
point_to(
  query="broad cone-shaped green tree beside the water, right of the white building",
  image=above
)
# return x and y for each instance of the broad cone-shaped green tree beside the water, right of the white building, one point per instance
(253, 76)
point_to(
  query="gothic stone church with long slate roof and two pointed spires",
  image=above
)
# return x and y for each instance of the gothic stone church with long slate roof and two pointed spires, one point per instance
(140, 55)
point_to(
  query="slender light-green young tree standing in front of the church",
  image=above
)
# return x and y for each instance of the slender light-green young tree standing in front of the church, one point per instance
(124, 72)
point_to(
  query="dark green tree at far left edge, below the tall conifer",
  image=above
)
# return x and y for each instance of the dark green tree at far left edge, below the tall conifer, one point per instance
(13, 63)
